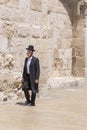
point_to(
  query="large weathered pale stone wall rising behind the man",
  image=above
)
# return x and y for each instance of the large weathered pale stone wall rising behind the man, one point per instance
(48, 25)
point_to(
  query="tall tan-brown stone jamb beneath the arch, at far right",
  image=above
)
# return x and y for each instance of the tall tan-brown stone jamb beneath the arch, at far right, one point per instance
(78, 41)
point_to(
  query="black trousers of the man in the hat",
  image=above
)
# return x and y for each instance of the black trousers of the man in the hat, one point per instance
(27, 93)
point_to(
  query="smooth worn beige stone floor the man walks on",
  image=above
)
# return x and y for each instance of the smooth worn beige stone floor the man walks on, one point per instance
(65, 110)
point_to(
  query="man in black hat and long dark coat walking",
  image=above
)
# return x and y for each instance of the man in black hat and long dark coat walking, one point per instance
(31, 74)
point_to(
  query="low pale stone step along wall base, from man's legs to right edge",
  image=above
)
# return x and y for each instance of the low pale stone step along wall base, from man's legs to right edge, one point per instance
(54, 84)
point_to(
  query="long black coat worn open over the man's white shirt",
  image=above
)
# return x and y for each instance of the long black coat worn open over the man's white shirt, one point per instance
(34, 73)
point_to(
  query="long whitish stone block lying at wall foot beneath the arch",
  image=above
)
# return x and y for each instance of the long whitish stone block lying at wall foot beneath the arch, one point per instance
(65, 82)
